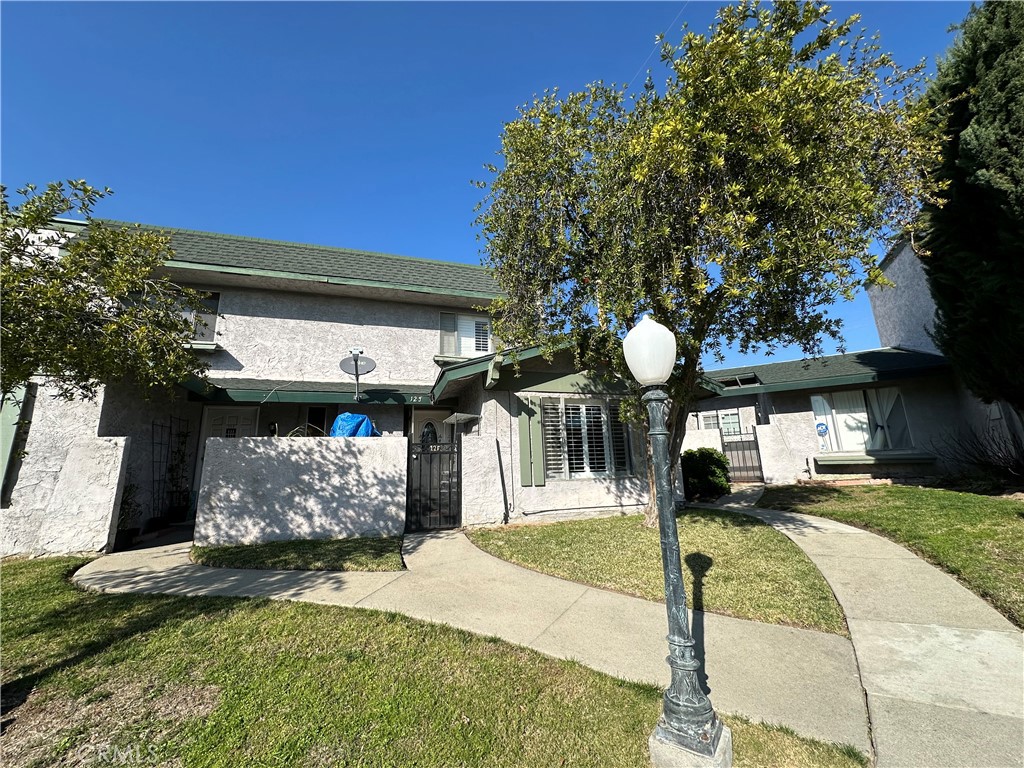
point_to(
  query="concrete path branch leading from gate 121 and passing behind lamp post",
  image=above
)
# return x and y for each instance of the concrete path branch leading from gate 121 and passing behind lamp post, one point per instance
(803, 679)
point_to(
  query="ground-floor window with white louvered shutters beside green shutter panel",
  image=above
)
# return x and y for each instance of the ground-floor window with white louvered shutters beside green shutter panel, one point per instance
(584, 439)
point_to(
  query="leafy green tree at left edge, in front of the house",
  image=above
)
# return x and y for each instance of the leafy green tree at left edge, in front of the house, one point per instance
(81, 305)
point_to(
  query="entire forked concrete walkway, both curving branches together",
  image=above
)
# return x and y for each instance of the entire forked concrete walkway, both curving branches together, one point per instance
(942, 669)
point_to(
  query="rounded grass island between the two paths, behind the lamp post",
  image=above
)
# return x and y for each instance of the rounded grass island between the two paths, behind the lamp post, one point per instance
(745, 568)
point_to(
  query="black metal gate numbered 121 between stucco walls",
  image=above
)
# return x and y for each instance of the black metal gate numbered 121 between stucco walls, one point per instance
(435, 501)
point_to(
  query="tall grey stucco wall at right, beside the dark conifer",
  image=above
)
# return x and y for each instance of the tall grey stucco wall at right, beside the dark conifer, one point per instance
(905, 313)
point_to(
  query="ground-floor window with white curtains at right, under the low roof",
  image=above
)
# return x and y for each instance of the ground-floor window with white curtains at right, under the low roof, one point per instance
(862, 420)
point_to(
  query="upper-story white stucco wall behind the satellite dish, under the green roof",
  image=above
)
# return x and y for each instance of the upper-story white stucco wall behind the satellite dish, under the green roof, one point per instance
(304, 337)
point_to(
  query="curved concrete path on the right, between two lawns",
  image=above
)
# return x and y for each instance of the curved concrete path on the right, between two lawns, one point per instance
(944, 671)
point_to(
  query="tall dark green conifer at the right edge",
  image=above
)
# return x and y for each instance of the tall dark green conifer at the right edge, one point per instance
(974, 242)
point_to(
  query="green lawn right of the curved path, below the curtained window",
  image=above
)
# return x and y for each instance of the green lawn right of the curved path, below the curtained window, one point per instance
(976, 538)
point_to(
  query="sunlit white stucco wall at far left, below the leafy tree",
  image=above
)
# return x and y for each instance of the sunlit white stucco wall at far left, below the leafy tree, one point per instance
(68, 485)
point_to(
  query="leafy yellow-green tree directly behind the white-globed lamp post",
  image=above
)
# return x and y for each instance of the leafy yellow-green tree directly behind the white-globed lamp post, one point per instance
(736, 205)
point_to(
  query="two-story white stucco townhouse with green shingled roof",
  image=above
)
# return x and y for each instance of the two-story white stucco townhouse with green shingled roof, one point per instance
(542, 444)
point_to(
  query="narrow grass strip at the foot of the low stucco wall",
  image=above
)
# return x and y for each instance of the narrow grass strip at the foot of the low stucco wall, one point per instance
(318, 554)
